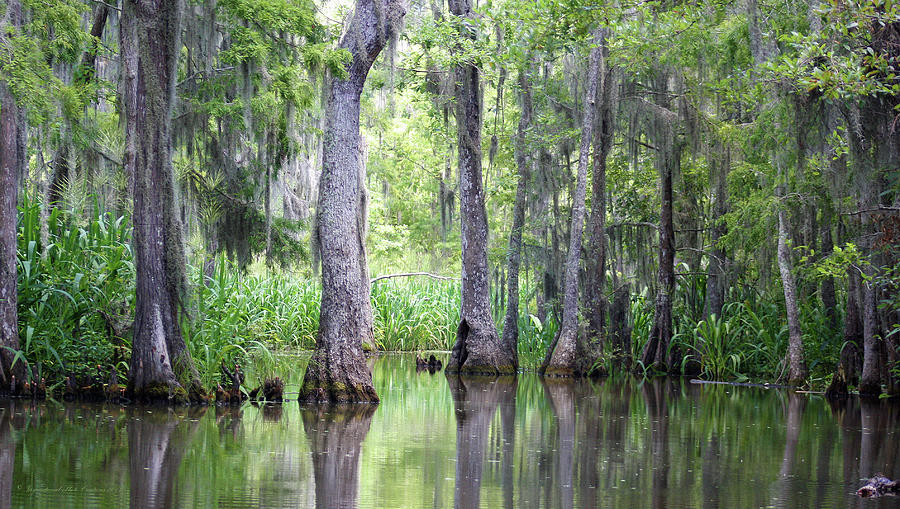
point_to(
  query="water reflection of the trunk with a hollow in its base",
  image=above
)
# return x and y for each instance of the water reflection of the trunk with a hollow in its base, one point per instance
(475, 401)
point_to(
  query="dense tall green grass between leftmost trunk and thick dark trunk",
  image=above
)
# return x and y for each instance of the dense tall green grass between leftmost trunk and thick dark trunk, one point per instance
(73, 289)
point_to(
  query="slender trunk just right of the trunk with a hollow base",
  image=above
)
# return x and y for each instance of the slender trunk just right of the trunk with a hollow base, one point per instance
(511, 321)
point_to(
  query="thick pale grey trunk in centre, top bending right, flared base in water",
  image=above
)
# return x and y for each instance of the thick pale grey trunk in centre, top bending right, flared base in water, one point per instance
(337, 370)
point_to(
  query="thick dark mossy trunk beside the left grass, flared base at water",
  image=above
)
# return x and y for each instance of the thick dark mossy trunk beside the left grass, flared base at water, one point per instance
(161, 366)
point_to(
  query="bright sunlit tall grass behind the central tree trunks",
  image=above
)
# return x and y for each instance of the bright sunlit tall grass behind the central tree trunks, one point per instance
(281, 311)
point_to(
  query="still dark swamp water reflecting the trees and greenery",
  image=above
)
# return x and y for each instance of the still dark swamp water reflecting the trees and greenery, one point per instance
(439, 442)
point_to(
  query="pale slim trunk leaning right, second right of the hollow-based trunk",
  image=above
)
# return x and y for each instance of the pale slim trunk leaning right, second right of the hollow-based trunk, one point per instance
(565, 356)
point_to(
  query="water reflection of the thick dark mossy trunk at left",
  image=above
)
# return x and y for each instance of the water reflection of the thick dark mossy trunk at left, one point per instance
(157, 441)
